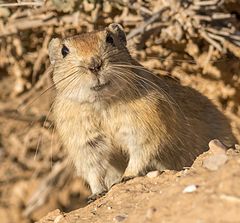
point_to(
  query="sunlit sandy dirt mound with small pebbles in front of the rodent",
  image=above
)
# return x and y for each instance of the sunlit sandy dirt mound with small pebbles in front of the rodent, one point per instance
(206, 192)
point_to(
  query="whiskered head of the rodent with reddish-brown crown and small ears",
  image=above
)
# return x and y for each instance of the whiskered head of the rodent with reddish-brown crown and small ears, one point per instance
(91, 66)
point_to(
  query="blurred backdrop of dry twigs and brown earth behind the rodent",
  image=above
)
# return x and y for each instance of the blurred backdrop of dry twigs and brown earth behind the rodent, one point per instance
(196, 42)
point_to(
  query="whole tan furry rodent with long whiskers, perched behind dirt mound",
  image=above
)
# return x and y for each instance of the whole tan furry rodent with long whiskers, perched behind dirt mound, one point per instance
(117, 119)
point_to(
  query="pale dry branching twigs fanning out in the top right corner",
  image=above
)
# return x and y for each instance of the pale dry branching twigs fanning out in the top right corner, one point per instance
(194, 23)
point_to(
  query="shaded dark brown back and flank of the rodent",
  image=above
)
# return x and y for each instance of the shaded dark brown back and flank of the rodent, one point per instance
(192, 121)
